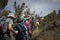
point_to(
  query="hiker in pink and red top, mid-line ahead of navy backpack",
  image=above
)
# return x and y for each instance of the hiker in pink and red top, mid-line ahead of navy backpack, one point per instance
(28, 22)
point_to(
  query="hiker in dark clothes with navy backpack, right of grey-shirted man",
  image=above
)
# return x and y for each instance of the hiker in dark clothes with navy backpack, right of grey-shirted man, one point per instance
(22, 30)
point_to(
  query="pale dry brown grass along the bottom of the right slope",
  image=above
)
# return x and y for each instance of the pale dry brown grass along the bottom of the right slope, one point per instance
(47, 34)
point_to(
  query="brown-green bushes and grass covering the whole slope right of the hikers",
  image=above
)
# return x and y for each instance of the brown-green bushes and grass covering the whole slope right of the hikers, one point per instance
(51, 29)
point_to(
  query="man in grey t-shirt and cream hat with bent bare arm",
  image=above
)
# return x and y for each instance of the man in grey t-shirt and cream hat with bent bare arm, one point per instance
(10, 20)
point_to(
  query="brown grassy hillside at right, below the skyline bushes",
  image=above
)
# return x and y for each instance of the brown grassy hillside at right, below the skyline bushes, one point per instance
(49, 31)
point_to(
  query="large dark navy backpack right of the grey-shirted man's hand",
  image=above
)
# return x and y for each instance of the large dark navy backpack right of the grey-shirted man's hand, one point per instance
(21, 28)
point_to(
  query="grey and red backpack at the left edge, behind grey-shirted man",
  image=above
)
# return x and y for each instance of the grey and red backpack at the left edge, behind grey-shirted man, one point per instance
(3, 26)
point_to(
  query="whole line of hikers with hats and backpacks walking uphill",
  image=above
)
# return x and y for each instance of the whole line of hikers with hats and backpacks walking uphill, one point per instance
(22, 30)
